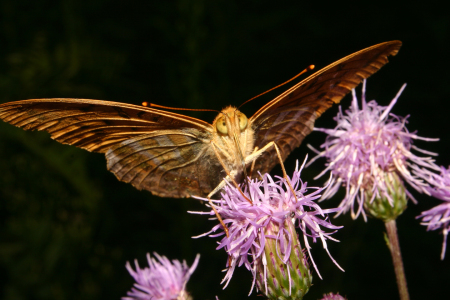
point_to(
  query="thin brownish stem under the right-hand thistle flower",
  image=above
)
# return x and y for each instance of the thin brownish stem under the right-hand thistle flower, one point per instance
(394, 247)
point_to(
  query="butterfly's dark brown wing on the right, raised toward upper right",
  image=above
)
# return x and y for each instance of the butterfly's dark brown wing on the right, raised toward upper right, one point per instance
(287, 119)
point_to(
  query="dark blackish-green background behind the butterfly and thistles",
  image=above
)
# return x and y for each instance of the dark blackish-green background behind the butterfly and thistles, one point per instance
(68, 226)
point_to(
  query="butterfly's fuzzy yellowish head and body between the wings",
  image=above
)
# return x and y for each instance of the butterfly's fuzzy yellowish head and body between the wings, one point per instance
(233, 138)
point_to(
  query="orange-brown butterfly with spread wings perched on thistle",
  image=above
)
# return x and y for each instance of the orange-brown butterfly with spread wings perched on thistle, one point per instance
(173, 155)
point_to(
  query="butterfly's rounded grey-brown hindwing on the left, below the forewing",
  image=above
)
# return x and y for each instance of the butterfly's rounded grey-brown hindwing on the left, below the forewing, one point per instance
(169, 163)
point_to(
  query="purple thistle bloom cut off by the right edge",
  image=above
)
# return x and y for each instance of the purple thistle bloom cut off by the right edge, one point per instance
(438, 218)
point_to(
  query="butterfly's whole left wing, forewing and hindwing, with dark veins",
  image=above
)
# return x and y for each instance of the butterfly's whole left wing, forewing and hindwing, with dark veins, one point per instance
(155, 150)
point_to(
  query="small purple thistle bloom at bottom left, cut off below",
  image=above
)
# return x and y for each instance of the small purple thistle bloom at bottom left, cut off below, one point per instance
(162, 280)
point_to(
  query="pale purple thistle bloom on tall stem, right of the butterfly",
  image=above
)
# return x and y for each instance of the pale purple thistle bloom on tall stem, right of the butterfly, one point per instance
(369, 152)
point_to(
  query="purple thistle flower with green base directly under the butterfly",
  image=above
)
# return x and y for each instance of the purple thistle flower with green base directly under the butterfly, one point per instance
(269, 222)
